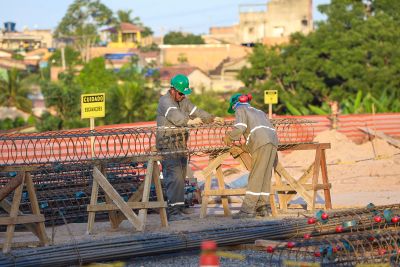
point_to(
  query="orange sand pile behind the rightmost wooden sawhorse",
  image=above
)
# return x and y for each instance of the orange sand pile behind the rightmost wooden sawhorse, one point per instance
(359, 174)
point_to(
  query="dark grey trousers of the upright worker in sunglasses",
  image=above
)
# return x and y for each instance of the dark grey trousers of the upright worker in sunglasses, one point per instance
(174, 173)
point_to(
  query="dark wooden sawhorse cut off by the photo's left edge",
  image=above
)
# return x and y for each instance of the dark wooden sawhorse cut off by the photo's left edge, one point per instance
(33, 222)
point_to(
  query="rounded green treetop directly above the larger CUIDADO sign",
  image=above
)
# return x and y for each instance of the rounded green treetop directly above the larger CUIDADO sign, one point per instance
(95, 78)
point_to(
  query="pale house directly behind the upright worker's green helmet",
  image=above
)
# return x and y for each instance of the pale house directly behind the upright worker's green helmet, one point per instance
(199, 81)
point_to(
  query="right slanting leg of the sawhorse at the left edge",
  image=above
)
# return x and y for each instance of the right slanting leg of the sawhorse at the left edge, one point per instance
(40, 228)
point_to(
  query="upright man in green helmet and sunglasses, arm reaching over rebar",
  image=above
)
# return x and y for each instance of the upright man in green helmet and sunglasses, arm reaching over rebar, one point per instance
(175, 111)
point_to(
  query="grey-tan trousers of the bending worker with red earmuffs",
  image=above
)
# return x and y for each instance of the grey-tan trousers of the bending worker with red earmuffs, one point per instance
(259, 184)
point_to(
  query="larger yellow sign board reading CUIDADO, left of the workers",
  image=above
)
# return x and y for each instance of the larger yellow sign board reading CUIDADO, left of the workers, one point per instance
(93, 105)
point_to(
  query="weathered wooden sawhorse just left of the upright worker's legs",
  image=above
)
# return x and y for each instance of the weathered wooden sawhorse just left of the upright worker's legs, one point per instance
(115, 203)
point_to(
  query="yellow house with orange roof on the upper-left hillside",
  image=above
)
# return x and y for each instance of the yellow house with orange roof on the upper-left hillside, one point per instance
(127, 35)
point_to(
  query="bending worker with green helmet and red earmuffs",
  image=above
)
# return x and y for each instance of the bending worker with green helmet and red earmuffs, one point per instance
(261, 143)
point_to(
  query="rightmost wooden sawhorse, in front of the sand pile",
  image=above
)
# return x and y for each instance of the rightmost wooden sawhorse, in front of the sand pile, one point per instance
(286, 189)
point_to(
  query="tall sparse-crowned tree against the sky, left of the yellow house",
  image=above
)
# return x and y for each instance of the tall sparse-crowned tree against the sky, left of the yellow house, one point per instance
(81, 23)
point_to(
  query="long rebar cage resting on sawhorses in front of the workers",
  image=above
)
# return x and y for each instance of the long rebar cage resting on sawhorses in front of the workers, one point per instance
(75, 146)
